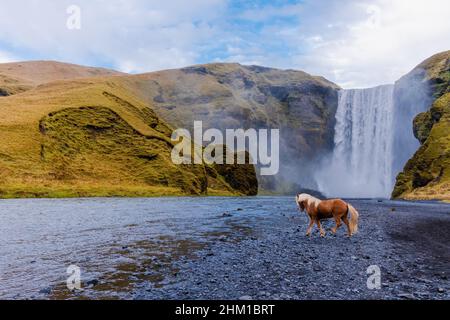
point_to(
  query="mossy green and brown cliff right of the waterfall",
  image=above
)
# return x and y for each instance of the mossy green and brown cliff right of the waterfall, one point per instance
(427, 174)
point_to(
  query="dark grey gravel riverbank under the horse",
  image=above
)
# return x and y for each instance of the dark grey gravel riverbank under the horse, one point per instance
(274, 260)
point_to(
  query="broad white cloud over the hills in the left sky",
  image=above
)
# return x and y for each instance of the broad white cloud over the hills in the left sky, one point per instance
(132, 35)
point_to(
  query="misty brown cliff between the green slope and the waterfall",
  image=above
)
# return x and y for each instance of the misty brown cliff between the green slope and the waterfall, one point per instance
(232, 96)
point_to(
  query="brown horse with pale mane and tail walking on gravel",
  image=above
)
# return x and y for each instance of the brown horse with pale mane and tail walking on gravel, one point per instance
(326, 209)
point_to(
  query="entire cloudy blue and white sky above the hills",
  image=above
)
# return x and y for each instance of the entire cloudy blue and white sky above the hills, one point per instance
(353, 43)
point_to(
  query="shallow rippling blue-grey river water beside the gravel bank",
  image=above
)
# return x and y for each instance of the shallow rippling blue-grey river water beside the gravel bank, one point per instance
(122, 243)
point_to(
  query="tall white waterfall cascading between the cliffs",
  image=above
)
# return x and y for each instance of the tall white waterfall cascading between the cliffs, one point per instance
(361, 164)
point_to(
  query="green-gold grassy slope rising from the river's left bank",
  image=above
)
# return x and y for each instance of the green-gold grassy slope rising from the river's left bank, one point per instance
(92, 137)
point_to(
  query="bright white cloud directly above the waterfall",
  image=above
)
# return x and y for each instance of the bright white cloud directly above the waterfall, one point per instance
(373, 42)
